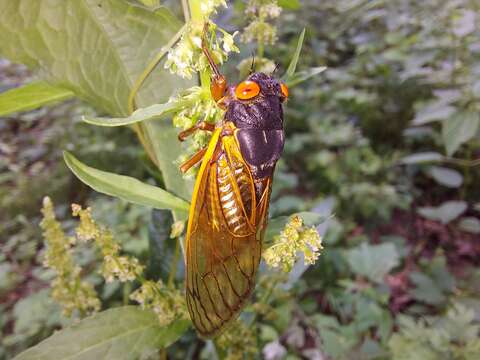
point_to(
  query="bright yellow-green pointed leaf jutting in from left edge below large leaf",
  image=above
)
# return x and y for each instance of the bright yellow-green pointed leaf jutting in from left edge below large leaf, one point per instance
(31, 96)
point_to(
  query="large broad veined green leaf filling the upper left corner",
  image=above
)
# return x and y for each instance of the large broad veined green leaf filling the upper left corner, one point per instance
(98, 49)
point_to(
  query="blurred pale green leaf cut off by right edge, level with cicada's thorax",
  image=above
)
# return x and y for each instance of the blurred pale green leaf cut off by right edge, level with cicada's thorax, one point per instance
(458, 129)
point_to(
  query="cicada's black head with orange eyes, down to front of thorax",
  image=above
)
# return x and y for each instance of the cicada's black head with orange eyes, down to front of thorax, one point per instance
(256, 102)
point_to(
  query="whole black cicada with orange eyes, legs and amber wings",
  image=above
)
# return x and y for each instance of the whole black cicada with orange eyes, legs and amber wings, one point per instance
(229, 207)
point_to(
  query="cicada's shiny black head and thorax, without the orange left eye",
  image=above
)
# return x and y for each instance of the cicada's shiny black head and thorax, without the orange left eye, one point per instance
(259, 123)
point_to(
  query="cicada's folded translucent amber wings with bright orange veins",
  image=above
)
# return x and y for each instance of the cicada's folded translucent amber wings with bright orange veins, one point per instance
(224, 236)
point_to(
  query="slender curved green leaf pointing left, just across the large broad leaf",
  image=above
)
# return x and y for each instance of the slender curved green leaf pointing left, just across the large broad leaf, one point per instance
(153, 112)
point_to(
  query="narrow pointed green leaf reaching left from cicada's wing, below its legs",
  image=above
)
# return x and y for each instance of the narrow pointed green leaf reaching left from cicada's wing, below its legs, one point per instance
(125, 187)
